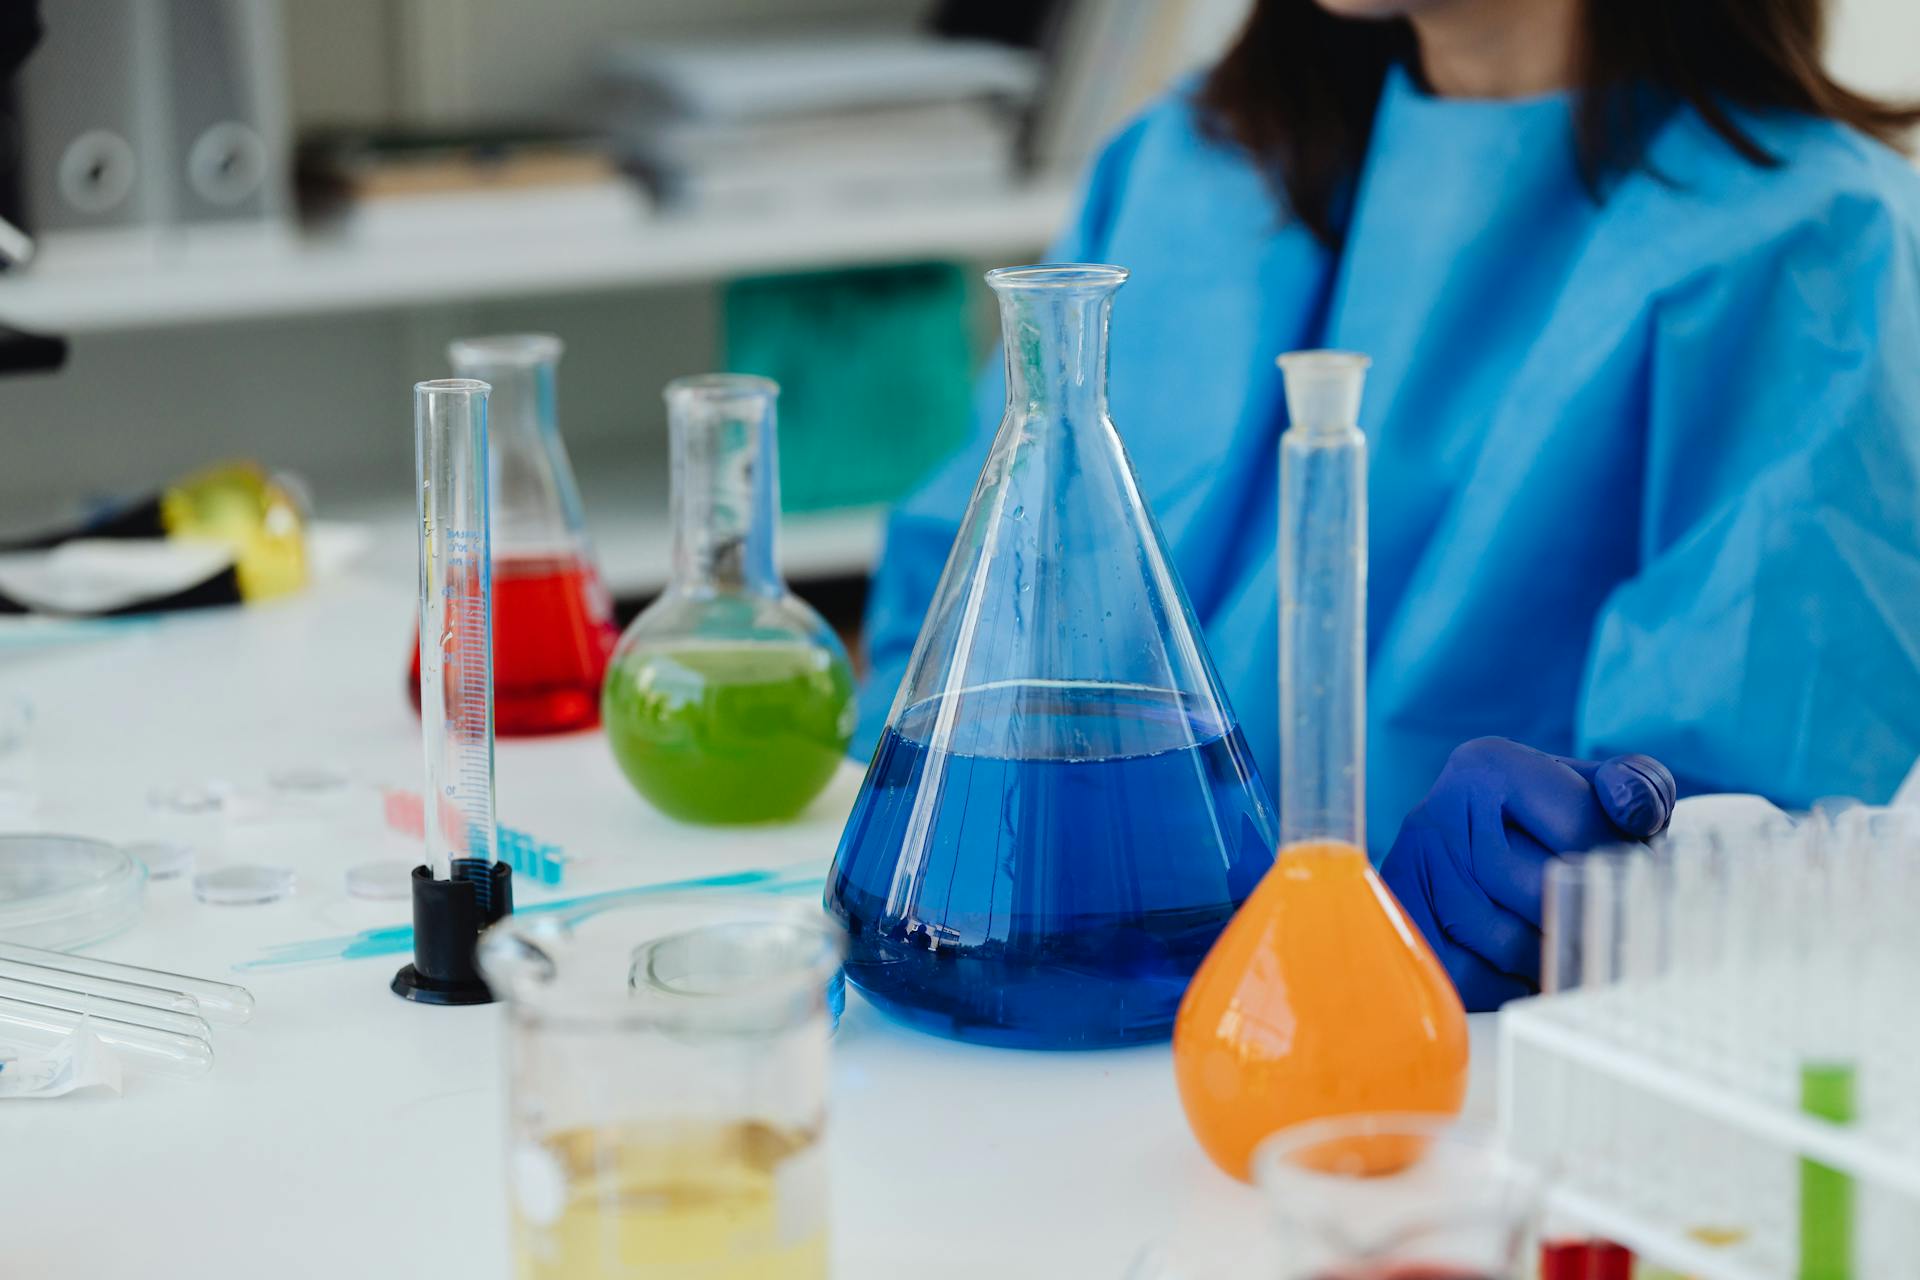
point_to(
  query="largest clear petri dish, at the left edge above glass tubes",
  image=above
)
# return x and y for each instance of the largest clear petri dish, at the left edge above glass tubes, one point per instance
(60, 891)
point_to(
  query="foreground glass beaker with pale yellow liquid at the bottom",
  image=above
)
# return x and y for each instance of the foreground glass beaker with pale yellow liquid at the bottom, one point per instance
(667, 1078)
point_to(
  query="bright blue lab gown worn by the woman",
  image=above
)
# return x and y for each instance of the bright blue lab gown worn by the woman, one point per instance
(1643, 471)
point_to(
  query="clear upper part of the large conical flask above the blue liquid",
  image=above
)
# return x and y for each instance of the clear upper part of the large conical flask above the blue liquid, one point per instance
(1059, 579)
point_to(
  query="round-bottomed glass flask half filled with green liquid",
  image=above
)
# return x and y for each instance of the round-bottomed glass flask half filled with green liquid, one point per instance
(729, 699)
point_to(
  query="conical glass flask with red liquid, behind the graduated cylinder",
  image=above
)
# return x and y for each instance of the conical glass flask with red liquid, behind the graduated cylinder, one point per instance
(552, 617)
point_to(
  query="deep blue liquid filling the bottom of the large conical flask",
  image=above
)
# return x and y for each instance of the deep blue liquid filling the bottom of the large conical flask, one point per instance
(1061, 899)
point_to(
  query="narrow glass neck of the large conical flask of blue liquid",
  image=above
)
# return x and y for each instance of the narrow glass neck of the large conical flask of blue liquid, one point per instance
(1057, 348)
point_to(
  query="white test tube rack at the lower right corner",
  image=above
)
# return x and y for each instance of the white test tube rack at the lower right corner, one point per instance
(1692, 1160)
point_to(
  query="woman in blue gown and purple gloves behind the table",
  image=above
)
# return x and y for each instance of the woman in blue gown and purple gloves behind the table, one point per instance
(1643, 296)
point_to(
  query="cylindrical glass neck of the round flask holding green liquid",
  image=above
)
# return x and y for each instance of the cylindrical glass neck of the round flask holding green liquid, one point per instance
(727, 485)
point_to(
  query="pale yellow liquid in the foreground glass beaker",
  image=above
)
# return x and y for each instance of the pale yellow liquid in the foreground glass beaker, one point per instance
(740, 1202)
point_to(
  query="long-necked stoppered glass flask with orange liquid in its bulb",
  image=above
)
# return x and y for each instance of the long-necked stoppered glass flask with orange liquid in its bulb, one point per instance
(1320, 999)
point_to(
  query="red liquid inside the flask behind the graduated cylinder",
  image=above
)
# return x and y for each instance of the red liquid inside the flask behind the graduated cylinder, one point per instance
(552, 640)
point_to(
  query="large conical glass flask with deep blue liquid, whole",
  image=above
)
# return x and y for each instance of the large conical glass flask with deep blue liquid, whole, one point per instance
(1063, 813)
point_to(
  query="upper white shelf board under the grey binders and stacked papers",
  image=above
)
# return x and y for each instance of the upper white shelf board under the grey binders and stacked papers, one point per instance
(252, 277)
